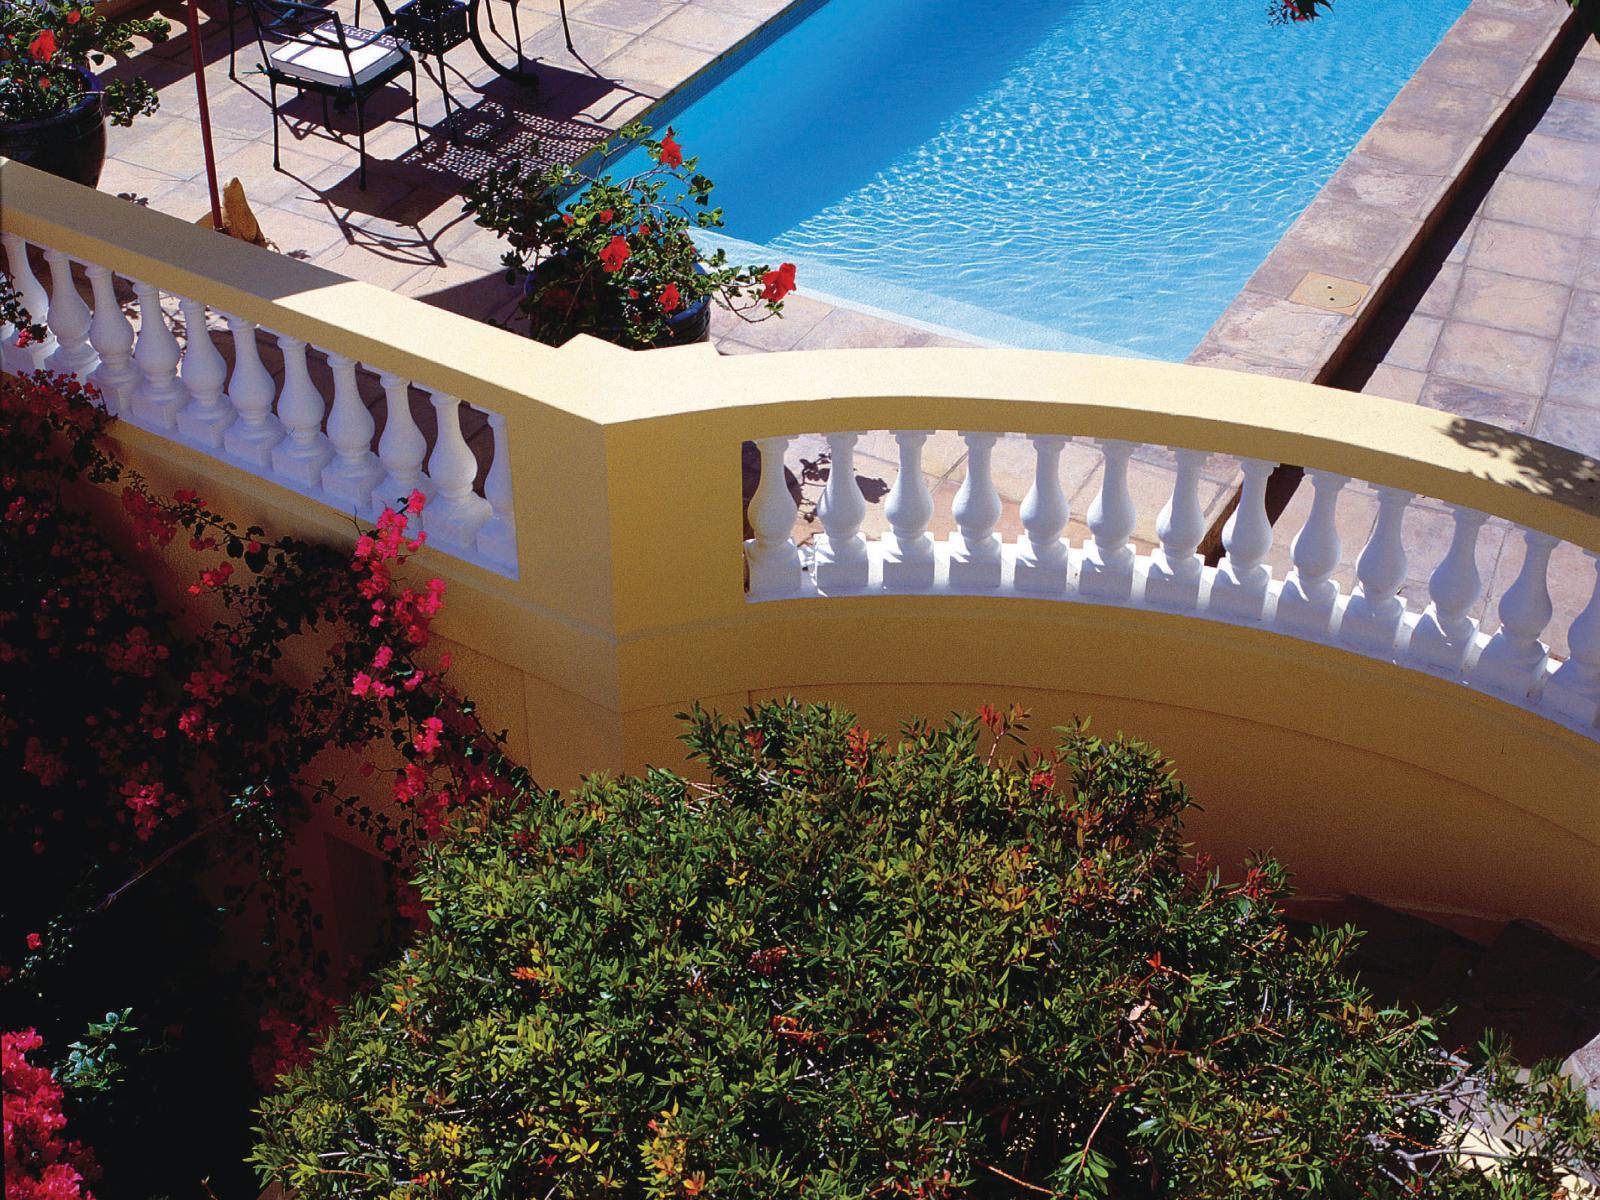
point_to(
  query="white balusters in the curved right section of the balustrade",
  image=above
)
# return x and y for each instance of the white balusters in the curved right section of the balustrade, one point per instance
(1372, 618)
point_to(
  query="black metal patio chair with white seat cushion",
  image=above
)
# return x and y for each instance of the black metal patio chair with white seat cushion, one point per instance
(313, 50)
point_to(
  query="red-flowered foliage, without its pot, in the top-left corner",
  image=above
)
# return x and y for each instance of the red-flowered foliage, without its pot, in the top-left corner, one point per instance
(49, 46)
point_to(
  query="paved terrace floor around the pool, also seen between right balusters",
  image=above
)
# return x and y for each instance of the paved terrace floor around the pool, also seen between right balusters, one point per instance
(1502, 322)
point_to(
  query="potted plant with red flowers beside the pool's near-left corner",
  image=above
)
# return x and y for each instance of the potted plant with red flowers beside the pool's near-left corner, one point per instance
(615, 258)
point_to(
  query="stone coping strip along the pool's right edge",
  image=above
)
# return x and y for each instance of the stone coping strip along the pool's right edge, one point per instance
(1367, 226)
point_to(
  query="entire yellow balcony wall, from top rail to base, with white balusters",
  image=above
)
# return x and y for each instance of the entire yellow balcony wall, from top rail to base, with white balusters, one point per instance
(599, 577)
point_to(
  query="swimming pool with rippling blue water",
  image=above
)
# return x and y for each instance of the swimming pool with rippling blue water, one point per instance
(1098, 175)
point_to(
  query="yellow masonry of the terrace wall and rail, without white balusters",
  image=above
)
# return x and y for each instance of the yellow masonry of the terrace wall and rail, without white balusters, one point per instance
(630, 606)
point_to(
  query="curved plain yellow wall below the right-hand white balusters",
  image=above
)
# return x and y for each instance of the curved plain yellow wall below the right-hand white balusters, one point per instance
(1362, 777)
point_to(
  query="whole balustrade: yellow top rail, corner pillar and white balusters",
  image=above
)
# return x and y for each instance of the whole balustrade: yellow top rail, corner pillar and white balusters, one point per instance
(354, 399)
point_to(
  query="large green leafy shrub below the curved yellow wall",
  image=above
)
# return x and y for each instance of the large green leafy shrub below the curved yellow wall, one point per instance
(846, 969)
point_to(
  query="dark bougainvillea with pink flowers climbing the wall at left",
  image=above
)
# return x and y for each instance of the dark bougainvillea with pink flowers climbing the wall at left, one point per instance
(158, 778)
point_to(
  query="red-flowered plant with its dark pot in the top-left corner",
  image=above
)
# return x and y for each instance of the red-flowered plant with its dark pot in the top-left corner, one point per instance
(54, 110)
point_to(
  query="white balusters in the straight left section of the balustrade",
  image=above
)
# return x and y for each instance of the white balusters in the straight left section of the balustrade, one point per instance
(252, 398)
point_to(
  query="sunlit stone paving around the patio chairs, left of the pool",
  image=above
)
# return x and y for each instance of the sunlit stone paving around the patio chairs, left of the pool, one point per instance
(407, 230)
